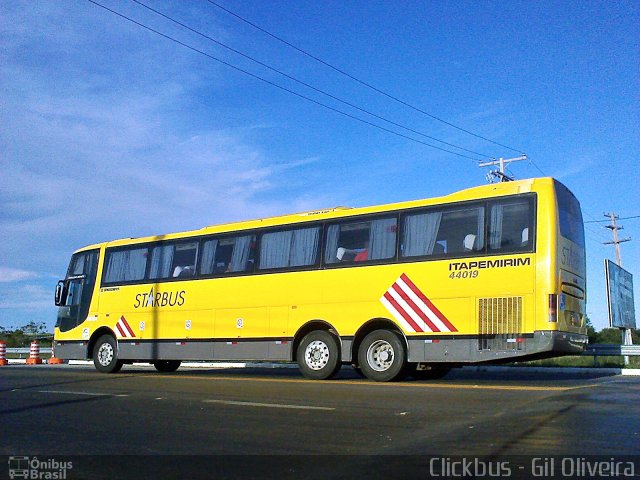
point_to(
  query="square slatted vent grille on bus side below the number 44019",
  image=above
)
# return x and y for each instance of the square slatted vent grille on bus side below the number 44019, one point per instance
(499, 323)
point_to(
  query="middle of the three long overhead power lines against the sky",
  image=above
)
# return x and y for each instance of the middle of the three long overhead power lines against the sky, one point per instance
(290, 77)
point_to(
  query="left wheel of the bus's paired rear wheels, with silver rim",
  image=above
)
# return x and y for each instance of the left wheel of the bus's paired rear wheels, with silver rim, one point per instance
(318, 355)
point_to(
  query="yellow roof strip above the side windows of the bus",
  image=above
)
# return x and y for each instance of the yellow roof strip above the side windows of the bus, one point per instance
(483, 191)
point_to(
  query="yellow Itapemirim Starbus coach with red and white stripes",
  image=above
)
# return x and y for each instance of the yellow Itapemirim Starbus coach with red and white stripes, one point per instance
(493, 273)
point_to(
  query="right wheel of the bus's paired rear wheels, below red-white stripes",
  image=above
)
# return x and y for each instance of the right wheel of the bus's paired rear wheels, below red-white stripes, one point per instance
(382, 356)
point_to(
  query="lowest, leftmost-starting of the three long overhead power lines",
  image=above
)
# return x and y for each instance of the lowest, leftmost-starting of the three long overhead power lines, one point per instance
(273, 84)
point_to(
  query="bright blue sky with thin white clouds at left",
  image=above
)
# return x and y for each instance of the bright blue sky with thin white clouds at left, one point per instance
(110, 131)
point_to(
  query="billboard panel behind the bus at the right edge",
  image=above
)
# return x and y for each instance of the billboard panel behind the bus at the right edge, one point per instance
(622, 312)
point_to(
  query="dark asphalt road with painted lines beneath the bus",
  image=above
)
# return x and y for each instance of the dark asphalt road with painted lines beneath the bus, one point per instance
(71, 411)
